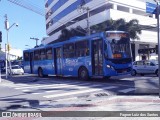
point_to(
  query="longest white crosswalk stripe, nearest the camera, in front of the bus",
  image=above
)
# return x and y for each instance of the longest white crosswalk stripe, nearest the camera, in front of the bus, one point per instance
(78, 92)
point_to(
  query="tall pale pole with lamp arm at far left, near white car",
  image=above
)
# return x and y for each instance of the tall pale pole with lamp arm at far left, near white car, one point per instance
(7, 27)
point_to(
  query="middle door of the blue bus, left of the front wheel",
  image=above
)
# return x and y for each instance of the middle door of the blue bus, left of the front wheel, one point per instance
(58, 61)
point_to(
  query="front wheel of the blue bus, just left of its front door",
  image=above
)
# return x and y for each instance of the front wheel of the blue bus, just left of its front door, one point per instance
(83, 74)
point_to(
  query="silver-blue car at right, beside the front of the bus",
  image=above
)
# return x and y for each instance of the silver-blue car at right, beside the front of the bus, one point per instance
(143, 67)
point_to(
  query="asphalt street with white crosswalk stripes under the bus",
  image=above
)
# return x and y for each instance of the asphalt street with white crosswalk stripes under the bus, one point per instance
(30, 92)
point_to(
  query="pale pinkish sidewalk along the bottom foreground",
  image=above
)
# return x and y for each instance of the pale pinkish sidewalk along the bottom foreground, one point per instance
(109, 107)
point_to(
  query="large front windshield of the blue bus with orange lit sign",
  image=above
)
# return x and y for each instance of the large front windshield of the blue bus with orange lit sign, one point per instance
(118, 45)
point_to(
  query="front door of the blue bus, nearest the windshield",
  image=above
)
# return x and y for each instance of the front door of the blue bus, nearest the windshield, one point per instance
(97, 57)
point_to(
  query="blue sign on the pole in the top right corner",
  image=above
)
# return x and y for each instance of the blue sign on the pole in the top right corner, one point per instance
(151, 8)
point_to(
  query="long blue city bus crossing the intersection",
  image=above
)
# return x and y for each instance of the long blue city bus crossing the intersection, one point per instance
(103, 54)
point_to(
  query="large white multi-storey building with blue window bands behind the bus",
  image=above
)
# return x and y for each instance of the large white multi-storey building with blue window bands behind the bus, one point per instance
(61, 13)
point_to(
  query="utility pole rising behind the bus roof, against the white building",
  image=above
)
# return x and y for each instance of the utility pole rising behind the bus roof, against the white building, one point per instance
(82, 8)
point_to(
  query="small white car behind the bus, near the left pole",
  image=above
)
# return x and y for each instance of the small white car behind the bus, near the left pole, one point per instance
(16, 69)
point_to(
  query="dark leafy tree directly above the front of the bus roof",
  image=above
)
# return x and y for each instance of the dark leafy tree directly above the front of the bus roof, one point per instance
(132, 27)
